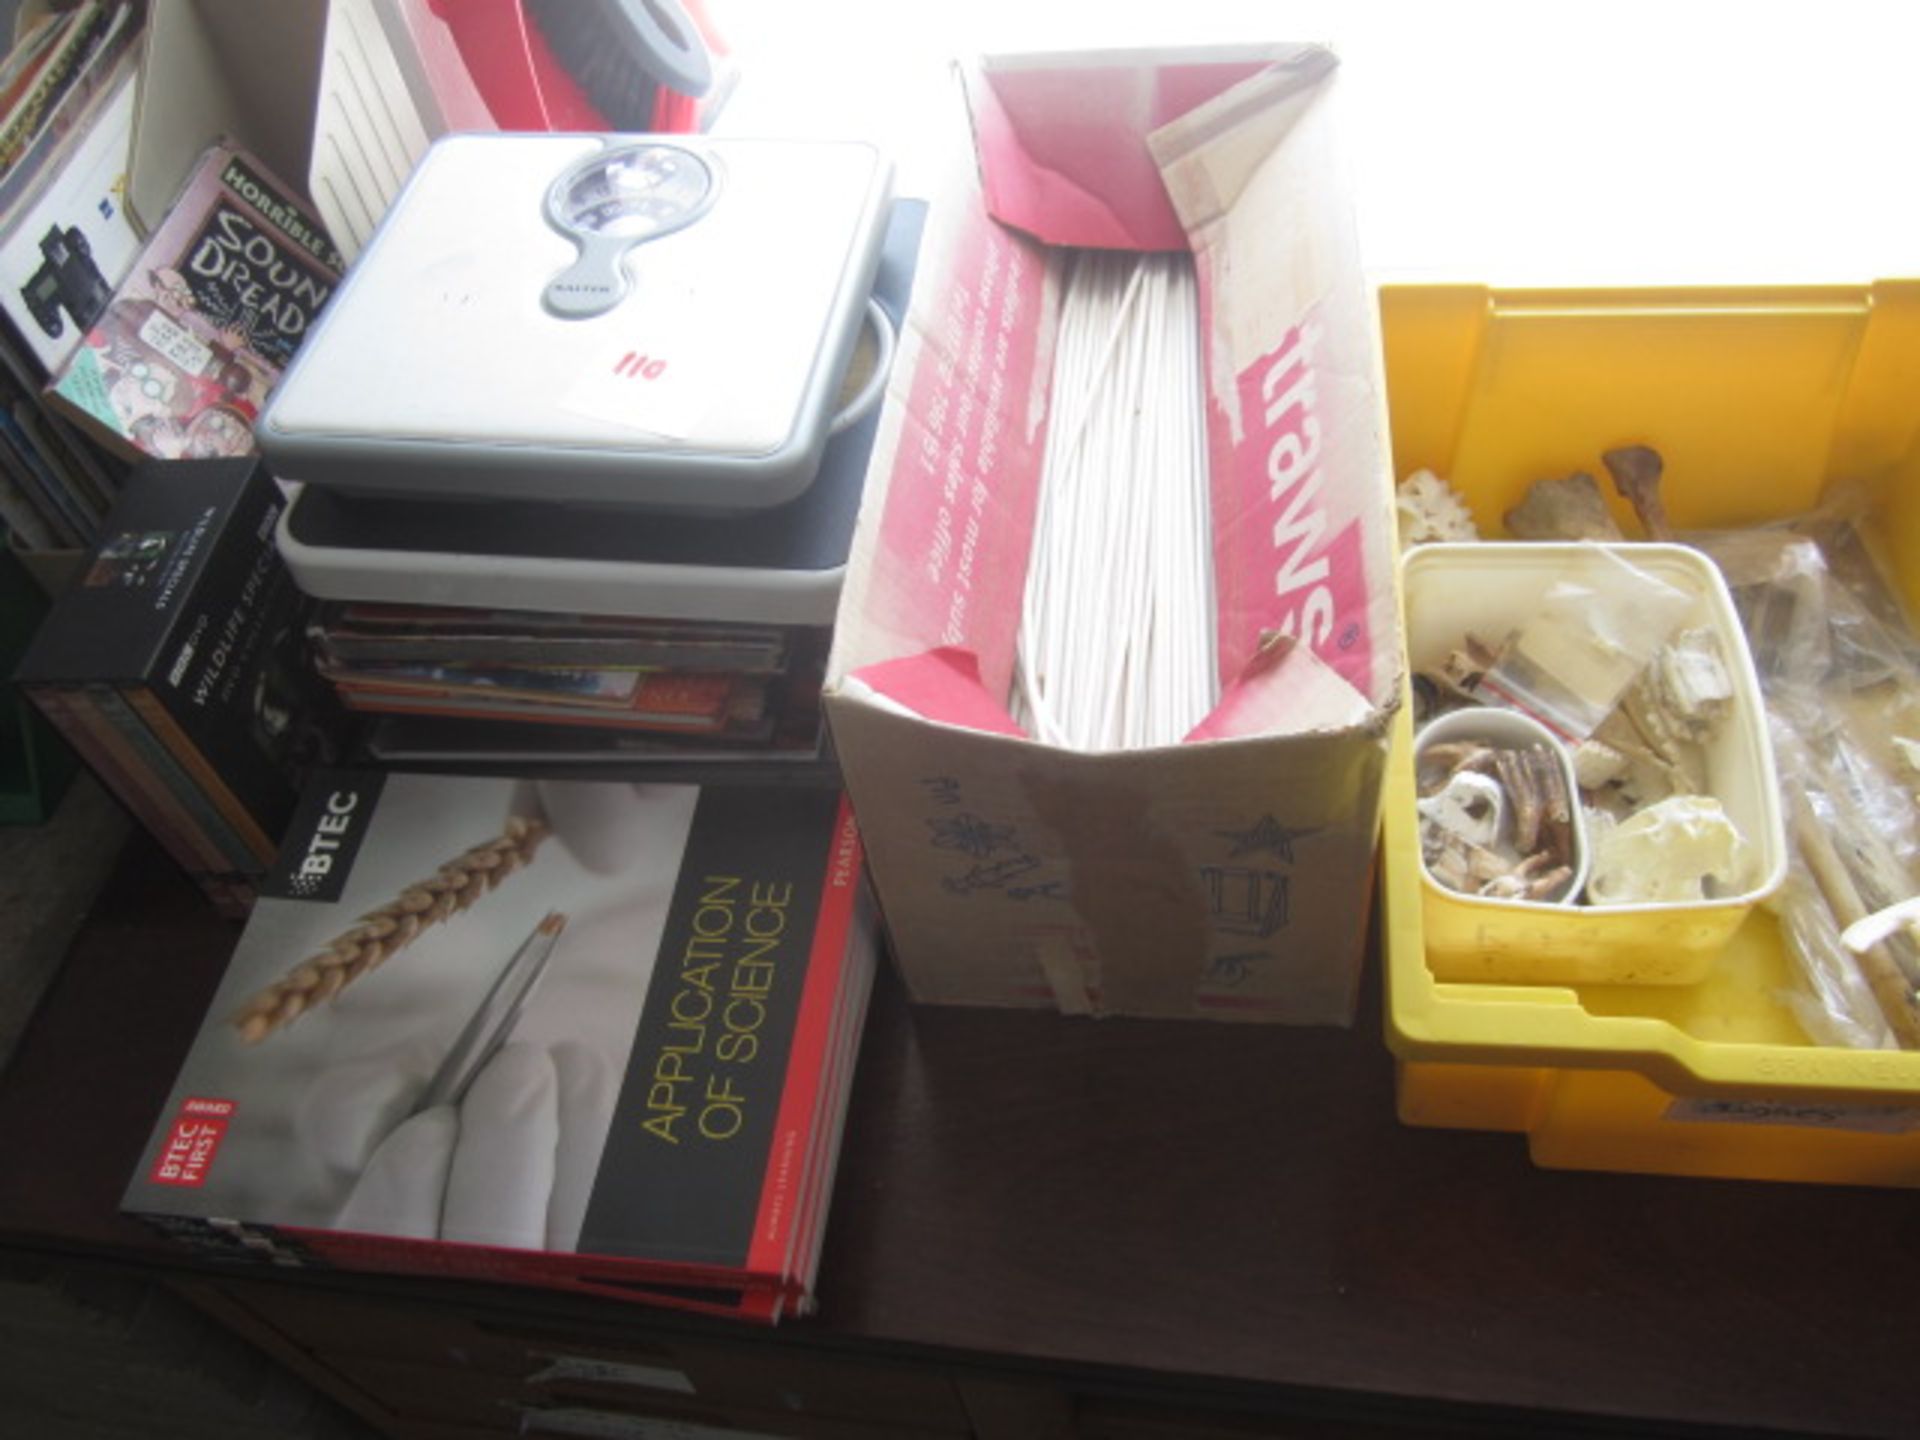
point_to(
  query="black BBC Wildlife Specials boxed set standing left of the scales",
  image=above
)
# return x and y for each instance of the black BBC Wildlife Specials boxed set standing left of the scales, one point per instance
(176, 669)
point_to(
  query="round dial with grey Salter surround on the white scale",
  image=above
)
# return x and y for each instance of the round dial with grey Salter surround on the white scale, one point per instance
(615, 201)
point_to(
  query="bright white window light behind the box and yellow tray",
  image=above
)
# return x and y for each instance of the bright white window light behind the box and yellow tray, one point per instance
(1495, 143)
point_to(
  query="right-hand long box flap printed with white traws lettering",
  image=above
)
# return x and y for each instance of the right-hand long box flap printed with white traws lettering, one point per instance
(1297, 412)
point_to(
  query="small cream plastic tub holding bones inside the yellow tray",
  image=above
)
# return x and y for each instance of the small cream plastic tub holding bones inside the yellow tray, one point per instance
(1483, 588)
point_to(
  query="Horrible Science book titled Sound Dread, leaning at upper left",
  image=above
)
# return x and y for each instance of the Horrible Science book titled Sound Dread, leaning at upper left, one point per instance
(220, 299)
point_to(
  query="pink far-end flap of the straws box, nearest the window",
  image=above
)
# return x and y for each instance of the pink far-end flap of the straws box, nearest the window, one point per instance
(1063, 141)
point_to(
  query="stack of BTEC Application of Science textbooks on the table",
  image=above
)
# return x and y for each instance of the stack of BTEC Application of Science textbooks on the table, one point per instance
(579, 1034)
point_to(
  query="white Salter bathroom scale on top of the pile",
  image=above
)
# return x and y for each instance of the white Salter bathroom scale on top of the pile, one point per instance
(629, 320)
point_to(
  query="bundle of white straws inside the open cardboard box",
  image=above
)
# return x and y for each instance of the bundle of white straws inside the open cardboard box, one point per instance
(1116, 646)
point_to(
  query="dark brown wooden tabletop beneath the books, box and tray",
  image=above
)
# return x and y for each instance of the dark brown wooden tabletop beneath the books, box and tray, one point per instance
(1178, 1209)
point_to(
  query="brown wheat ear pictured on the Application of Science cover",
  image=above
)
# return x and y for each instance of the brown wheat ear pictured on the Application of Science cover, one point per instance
(396, 924)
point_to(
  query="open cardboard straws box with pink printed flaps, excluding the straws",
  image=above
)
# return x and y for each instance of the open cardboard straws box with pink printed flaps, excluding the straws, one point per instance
(1226, 876)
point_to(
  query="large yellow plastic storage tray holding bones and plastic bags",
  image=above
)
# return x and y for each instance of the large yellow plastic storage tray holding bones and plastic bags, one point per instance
(1758, 400)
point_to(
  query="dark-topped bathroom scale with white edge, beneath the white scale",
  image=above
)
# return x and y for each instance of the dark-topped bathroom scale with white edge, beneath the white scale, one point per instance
(775, 565)
